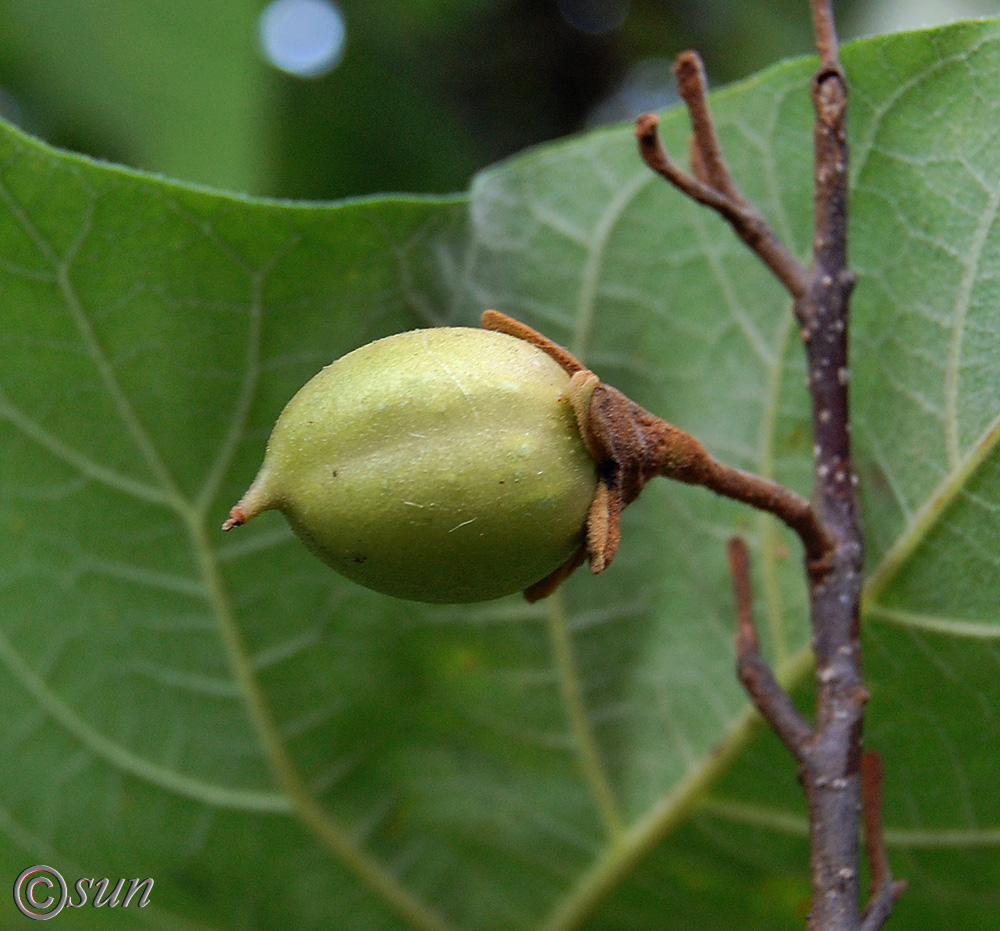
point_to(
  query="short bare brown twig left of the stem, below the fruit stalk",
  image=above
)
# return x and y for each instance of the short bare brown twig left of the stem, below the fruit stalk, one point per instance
(754, 672)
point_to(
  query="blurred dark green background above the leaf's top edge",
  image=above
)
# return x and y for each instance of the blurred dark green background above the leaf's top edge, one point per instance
(389, 95)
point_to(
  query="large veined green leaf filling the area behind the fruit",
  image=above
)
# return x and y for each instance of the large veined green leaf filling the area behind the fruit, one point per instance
(279, 748)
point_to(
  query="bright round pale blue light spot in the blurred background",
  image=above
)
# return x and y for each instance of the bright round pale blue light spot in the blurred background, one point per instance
(303, 37)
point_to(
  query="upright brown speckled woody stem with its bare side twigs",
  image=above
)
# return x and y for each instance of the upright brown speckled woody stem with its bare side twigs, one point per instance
(839, 780)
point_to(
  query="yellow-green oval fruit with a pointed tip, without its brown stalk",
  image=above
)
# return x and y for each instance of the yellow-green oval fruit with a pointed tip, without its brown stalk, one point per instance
(438, 465)
